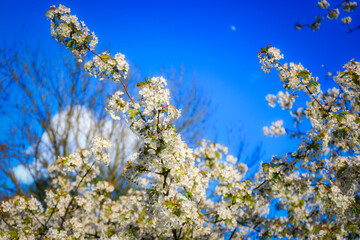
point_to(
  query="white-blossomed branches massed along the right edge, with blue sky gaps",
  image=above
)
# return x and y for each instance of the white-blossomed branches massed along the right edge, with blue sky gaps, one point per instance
(317, 186)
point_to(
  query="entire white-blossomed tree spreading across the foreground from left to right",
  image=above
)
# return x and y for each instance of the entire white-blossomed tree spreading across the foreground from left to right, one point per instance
(183, 193)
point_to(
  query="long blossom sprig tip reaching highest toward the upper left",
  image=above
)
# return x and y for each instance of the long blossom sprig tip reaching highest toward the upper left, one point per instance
(68, 31)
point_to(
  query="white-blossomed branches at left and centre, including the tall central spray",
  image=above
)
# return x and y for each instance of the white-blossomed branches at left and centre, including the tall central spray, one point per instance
(170, 200)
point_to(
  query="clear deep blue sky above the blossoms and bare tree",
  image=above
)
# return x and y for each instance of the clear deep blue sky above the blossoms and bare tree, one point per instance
(199, 34)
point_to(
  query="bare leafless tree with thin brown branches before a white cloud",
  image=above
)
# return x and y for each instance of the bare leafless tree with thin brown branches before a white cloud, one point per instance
(58, 108)
